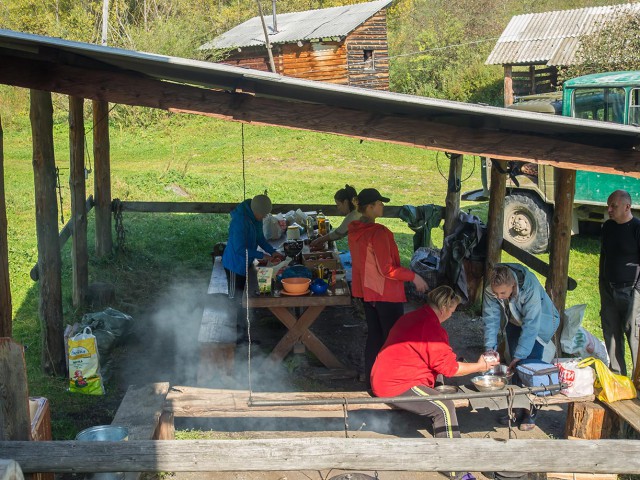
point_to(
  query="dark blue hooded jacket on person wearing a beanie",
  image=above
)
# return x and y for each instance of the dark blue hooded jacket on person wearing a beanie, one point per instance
(245, 235)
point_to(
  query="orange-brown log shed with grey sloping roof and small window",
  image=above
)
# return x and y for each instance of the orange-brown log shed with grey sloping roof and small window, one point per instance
(344, 45)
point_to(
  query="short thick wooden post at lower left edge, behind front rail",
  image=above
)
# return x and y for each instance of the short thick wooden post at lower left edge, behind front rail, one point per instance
(15, 422)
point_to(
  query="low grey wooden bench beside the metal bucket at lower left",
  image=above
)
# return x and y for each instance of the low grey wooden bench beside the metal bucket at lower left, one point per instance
(141, 412)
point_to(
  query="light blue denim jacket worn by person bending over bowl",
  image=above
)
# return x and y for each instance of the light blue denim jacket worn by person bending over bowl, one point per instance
(529, 305)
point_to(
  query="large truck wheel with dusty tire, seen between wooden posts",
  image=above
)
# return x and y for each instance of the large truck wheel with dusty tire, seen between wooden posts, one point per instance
(526, 222)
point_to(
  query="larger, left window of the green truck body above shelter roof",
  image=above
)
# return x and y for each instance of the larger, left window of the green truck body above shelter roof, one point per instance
(605, 104)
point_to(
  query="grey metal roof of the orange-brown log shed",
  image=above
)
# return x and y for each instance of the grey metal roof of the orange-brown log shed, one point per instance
(304, 26)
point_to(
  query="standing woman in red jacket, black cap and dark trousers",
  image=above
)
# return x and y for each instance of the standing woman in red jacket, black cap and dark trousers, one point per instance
(377, 276)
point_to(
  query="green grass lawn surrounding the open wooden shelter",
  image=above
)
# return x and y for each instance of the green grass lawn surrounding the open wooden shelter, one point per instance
(206, 159)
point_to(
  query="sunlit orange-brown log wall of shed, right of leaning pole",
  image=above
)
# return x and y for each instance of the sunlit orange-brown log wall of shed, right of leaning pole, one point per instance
(320, 61)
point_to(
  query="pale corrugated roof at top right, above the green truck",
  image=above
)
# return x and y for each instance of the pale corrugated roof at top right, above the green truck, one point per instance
(551, 38)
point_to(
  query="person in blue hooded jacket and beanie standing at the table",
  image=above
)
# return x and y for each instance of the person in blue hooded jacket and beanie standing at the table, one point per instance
(245, 236)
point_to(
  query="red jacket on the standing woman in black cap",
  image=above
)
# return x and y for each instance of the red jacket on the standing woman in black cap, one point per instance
(376, 272)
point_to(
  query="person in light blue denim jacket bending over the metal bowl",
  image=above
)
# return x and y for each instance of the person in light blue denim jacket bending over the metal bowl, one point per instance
(518, 307)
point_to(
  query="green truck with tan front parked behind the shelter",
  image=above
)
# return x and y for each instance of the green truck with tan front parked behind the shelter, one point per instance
(609, 97)
